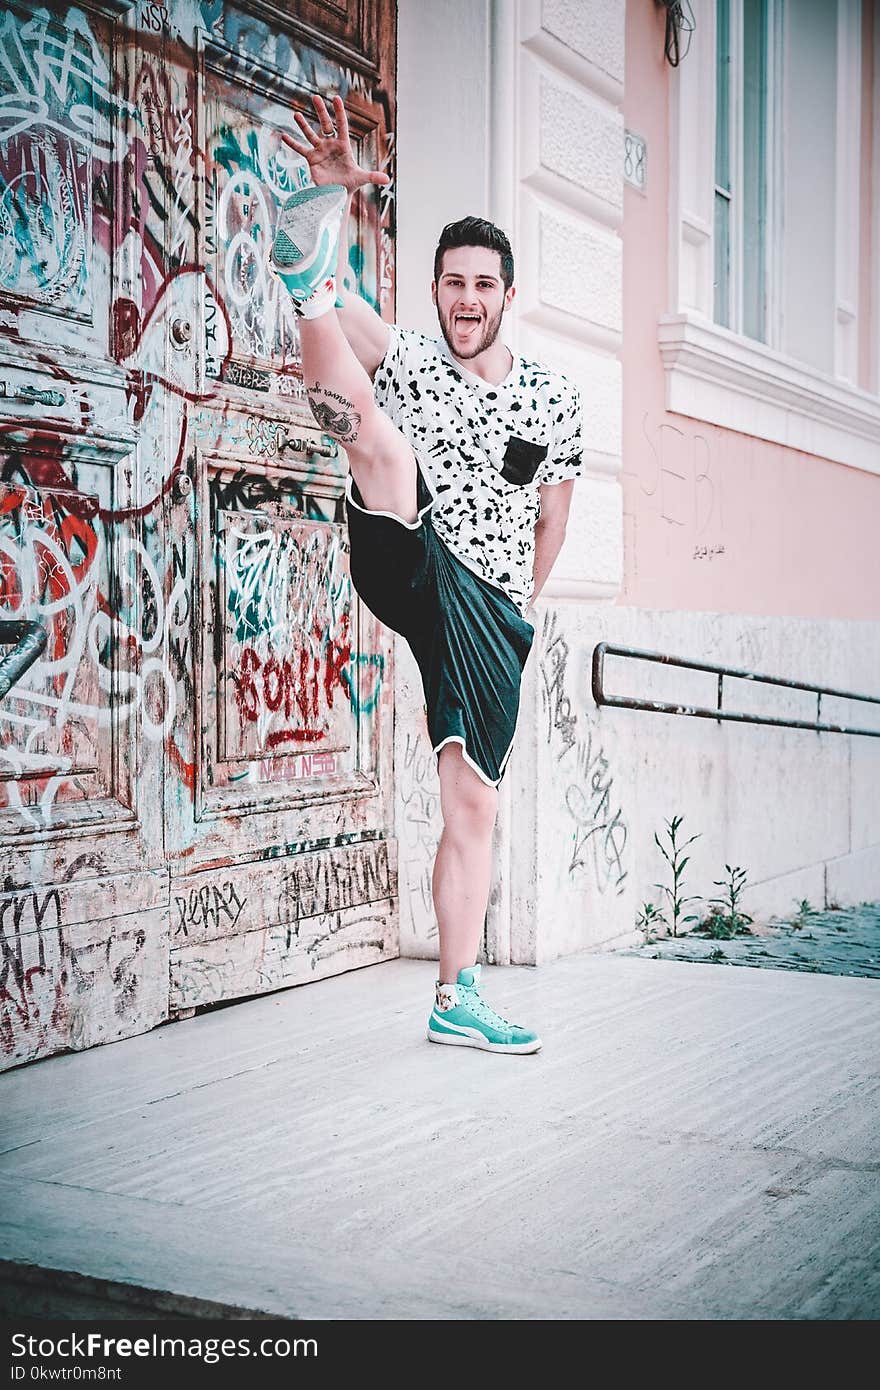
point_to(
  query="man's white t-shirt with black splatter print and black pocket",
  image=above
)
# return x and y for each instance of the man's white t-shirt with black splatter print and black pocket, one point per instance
(461, 427)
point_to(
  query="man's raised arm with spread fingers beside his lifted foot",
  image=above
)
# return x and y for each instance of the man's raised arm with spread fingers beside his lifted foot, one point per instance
(332, 161)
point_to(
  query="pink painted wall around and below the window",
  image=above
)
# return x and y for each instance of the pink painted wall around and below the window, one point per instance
(718, 521)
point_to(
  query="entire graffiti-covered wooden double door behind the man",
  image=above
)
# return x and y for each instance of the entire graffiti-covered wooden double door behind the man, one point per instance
(195, 774)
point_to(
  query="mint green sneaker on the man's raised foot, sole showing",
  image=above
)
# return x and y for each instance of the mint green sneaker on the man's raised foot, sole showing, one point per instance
(304, 255)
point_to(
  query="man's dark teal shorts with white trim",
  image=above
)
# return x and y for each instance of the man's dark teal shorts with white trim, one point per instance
(469, 640)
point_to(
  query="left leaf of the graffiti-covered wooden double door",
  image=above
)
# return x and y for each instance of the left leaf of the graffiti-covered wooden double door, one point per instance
(84, 897)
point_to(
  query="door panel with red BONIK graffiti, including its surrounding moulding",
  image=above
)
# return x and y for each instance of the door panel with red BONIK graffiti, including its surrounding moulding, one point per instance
(294, 690)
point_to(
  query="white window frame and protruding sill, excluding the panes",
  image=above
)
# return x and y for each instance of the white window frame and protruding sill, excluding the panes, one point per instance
(724, 377)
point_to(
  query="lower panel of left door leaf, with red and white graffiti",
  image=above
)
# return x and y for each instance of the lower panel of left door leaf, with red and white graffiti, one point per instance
(65, 562)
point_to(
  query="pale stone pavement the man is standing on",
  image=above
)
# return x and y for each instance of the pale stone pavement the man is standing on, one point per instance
(692, 1143)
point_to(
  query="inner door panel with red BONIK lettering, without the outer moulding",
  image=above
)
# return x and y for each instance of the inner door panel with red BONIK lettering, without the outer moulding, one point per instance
(283, 664)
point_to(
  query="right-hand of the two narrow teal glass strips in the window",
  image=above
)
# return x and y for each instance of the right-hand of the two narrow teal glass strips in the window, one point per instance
(754, 166)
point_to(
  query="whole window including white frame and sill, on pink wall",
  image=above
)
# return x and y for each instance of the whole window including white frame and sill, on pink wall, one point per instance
(767, 332)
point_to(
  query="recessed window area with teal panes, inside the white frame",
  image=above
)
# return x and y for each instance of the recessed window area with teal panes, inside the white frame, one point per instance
(776, 108)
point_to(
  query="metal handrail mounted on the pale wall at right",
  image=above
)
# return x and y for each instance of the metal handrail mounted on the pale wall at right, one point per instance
(604, 650)
